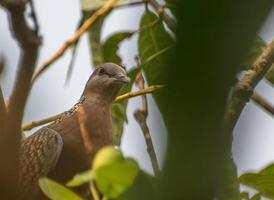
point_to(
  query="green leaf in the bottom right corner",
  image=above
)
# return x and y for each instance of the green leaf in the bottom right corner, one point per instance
(262, 181)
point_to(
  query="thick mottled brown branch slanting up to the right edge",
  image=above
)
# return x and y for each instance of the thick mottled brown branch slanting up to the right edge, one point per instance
(243, 90)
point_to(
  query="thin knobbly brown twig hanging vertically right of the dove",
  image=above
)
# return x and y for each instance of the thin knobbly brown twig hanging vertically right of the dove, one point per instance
(141, 117)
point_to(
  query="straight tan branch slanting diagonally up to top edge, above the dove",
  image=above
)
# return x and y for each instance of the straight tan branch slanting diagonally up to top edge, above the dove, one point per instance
(86, 25)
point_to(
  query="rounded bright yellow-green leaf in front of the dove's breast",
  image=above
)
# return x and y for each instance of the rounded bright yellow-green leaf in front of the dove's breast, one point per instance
(113, 173)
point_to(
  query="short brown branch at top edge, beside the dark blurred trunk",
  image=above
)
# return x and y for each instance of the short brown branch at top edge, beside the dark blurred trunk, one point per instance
(161, 11)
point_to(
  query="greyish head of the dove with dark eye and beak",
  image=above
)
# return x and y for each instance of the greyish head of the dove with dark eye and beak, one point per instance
(106, 81)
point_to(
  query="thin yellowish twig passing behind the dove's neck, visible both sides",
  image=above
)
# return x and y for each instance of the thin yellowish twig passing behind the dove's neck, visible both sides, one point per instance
(121, 98)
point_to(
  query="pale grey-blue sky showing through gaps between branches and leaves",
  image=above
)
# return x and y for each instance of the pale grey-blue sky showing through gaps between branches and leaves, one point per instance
(253, 145)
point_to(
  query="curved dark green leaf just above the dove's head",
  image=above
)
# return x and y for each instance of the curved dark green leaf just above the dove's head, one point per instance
(111, 46)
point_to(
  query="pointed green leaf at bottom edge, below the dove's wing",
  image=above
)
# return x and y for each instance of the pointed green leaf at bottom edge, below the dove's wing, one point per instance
(55, 191)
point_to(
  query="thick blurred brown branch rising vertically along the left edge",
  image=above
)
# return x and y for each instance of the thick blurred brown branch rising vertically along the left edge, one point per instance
(11, 137)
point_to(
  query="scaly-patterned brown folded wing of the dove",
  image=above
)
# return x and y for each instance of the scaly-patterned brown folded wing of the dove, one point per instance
(39, 154)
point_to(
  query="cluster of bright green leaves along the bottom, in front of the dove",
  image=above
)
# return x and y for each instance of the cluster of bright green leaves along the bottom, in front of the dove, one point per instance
(113, 173)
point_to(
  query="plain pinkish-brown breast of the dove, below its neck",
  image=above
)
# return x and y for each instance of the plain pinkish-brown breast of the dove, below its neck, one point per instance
(83, 134)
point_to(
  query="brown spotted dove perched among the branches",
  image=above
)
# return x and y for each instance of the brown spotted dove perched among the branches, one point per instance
(68, 145)
